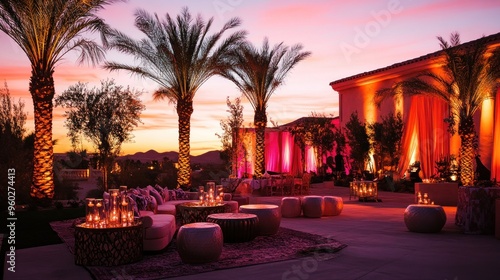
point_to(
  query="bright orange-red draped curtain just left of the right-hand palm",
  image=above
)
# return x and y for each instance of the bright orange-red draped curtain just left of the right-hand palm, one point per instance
(425, 138)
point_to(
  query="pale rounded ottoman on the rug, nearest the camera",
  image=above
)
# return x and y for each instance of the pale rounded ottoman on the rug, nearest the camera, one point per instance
(199, 242)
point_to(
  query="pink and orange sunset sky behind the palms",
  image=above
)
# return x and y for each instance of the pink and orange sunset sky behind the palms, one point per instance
(345, 38)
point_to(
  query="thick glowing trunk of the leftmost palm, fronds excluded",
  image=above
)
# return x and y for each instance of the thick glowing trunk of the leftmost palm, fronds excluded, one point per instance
(42, 92)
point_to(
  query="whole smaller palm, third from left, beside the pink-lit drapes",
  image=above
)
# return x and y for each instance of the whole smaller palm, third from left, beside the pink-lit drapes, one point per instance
(257, 74)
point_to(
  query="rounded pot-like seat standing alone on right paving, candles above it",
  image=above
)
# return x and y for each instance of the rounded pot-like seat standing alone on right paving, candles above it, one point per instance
(424, 218)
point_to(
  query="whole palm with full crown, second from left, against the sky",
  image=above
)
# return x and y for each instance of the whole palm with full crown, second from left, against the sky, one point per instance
(179, 55)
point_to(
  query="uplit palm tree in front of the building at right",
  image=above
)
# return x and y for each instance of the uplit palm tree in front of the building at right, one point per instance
(470, 76)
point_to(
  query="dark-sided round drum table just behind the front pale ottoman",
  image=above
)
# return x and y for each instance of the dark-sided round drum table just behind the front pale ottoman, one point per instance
(236, 227)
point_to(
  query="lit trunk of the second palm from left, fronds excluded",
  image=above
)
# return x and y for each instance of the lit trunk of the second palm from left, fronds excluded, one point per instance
(184, 111)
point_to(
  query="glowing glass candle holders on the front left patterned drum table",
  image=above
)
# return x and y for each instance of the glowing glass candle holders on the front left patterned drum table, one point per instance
(113, 212)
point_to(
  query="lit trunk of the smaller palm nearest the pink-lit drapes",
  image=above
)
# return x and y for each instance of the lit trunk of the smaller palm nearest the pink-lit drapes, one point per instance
(260, 122)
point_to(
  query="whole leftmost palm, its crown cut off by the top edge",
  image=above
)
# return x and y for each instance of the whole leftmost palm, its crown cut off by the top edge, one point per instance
(46, 30)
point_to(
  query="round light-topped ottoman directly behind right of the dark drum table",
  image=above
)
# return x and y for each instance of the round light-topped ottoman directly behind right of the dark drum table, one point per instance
(269, 217)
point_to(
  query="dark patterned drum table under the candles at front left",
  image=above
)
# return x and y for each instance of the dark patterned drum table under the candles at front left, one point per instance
(108, 246)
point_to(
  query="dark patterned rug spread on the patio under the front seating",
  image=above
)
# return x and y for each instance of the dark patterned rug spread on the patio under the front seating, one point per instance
(287, 244)
